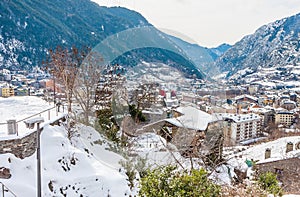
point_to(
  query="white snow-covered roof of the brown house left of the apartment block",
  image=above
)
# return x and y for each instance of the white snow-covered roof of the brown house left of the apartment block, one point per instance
(192, 118)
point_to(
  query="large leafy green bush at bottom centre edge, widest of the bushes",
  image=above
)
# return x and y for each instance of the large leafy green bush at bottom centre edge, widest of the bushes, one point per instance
(166, 181)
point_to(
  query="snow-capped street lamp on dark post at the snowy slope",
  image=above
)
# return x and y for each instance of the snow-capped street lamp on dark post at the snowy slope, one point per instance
(30, 124)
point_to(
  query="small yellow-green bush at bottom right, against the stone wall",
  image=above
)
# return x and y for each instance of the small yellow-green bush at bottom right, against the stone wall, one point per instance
(268, 182)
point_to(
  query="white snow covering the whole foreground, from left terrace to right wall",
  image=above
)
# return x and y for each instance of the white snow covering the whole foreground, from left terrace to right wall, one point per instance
(85, 166)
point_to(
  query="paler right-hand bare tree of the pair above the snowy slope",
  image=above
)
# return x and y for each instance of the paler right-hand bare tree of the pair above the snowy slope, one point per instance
(87, 78)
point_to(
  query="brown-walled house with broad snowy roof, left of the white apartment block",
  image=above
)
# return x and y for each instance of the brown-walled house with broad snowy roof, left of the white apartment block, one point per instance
(187, 130)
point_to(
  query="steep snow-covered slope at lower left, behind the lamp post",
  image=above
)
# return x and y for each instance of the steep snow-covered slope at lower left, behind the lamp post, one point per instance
(83, 168)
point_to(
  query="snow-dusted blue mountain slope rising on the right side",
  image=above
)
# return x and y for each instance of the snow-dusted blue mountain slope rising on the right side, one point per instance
(274, 44)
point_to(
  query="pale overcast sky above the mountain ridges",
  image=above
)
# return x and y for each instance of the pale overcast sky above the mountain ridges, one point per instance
(210, 23)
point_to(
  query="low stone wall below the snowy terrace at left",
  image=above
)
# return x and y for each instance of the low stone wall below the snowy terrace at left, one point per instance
(23, 146)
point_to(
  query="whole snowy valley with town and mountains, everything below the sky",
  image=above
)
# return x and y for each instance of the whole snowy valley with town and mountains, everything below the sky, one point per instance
(103, 120)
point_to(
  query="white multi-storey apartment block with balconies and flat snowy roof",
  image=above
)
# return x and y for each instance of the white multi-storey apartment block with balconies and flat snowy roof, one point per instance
(242, 127)
